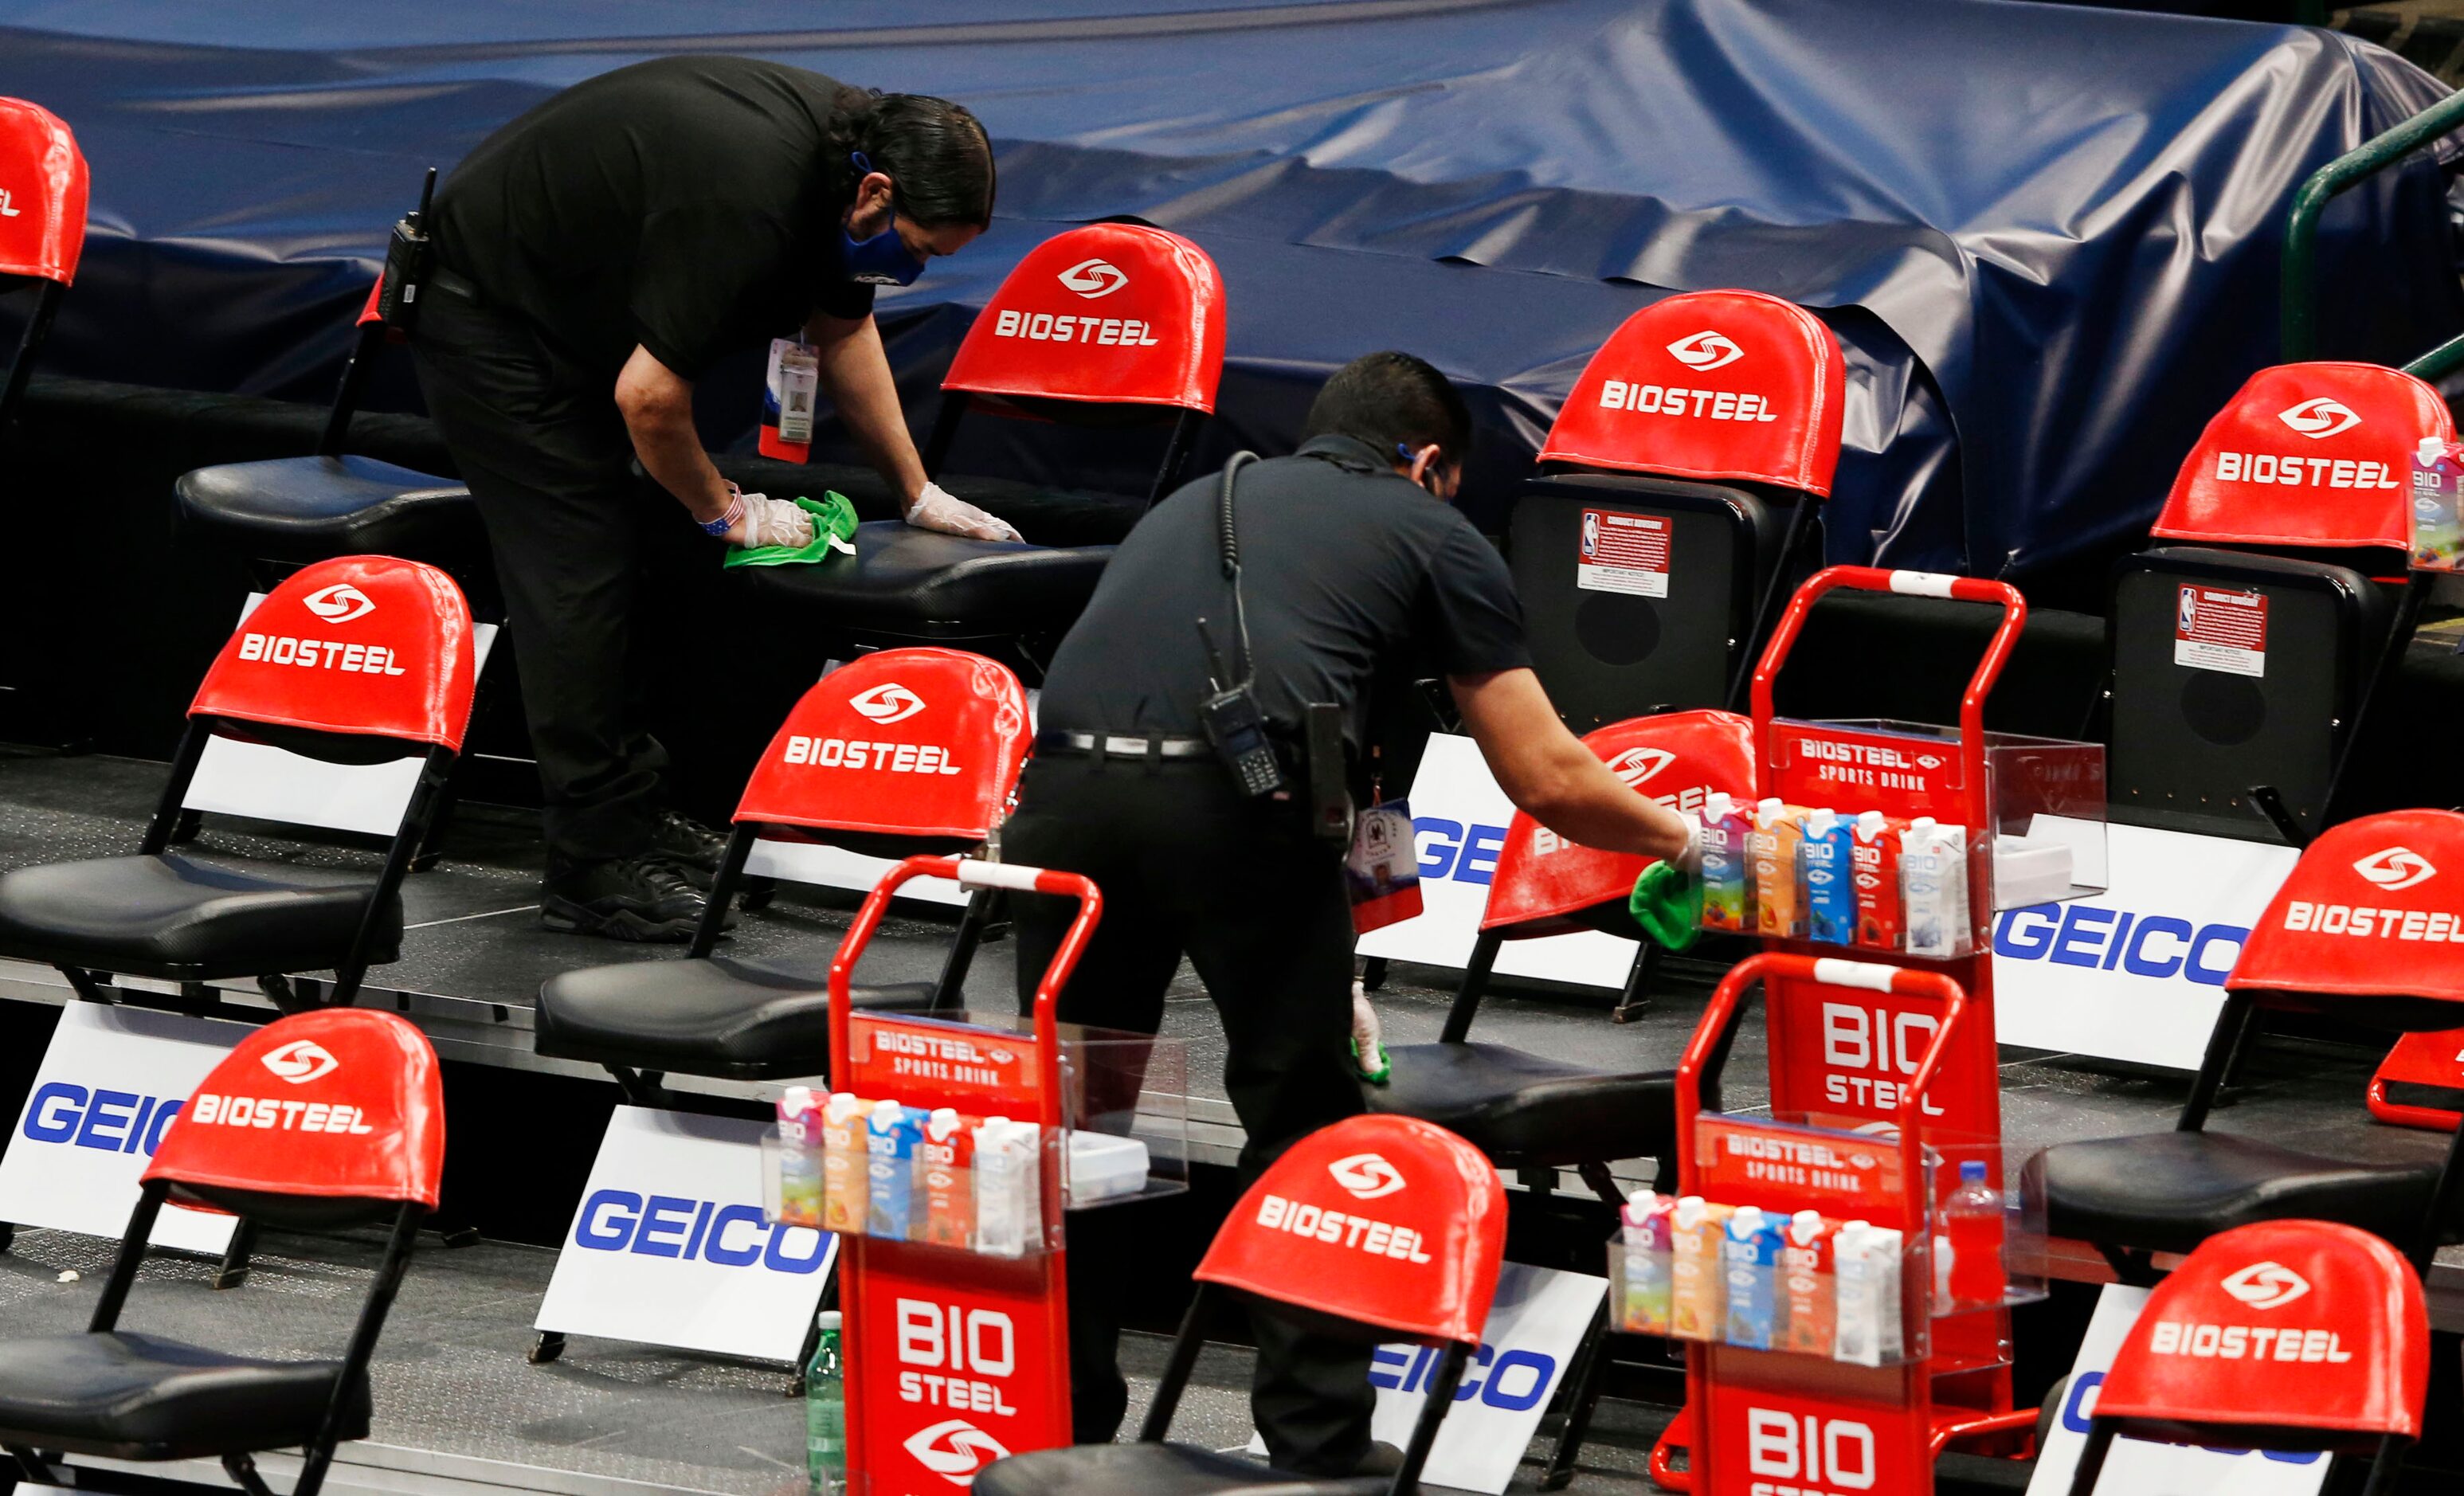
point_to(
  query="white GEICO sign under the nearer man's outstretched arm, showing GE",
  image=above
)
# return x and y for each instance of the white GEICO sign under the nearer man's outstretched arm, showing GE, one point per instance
(1460, 824)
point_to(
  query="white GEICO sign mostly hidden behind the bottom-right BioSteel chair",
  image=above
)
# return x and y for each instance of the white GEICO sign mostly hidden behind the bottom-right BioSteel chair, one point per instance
(2152, 1470)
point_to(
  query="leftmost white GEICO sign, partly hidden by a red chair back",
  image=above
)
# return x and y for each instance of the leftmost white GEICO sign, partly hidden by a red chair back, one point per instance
(110, 1086)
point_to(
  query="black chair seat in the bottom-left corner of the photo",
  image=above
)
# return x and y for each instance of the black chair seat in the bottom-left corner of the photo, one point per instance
(142, 1399)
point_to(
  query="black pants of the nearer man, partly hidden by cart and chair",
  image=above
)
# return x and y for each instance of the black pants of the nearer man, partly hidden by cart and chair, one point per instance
(1258, 906)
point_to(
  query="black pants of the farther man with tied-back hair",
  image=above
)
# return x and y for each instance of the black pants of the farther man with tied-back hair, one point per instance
(575, 531)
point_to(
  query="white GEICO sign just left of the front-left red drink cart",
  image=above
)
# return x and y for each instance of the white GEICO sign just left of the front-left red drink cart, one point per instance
(671, 1248)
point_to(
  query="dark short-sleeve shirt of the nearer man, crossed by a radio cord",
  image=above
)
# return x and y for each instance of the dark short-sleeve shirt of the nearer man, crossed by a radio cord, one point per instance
(1349, 571)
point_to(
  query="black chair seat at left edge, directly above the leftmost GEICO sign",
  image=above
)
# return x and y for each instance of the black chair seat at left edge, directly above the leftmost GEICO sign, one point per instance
(188, 921)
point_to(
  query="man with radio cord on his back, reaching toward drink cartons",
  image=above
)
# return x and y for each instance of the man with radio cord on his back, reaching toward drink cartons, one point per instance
(1352, 561)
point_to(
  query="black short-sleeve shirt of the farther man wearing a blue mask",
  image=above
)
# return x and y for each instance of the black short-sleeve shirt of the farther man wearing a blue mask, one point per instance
(689, 206)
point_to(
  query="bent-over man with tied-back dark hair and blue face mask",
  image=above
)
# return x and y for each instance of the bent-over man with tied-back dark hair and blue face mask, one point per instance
(593, 260)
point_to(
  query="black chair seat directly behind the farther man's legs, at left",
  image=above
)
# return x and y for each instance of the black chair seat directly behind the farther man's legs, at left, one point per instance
(326, 506)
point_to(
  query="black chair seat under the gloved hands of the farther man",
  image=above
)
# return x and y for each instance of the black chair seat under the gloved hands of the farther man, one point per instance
(930, 585)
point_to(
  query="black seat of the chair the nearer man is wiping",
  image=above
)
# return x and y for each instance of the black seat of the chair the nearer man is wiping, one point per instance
(1526, 1110)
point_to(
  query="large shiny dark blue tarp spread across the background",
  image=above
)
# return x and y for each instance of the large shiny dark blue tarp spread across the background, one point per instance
(2046, 235)
